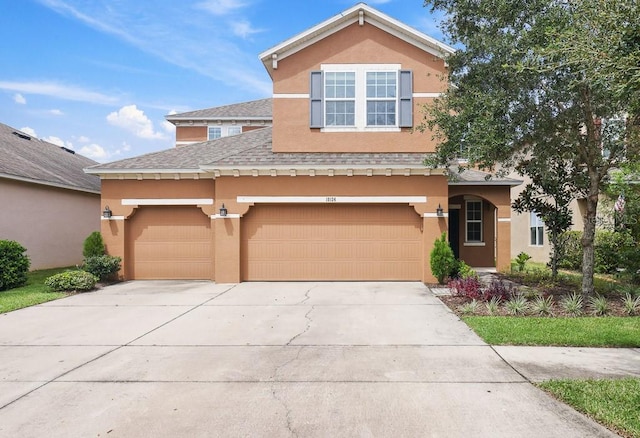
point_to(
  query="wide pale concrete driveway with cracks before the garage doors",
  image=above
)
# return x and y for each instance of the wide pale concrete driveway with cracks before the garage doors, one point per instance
(184, 359)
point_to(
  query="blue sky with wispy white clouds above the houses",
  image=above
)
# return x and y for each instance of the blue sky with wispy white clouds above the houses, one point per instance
(99, 76)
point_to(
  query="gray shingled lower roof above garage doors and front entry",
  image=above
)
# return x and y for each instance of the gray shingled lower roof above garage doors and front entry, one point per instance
(250, 153)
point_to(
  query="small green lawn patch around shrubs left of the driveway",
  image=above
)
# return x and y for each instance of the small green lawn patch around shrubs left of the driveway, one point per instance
(34, 292)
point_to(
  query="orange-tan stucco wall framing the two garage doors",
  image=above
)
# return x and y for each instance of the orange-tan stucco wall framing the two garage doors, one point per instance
(227, 232)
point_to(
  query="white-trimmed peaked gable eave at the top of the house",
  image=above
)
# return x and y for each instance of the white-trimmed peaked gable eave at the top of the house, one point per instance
(360, 13)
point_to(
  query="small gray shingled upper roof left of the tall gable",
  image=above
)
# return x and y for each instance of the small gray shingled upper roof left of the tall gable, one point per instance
(252, 110)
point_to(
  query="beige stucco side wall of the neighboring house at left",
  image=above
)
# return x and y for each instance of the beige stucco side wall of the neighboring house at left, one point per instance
(51, 223)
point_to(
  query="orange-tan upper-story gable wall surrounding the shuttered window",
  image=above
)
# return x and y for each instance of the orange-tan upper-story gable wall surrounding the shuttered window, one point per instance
(352, 45)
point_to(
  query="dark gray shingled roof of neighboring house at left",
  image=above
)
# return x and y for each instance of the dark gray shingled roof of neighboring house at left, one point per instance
(26, 158)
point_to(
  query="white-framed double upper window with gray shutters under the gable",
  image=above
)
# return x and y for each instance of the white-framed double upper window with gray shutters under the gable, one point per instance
(361, 97)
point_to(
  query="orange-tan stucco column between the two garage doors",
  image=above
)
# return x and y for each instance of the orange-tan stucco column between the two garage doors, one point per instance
(227, 249)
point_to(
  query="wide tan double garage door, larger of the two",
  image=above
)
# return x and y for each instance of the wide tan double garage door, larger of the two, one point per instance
(331, 242)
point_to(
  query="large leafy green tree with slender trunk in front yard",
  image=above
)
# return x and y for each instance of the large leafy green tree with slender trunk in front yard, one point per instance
(546, 81)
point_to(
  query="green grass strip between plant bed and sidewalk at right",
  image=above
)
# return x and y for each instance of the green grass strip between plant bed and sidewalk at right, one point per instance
(576, 332)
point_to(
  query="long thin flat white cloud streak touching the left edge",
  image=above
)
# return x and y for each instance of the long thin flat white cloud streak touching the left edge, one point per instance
(60, 91)
